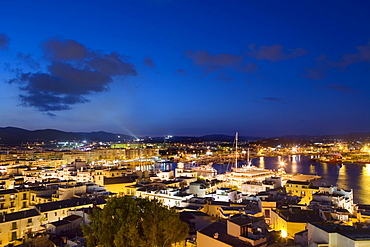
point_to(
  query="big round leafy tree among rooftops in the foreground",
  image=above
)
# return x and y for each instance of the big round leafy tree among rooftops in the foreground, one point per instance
(126, 221)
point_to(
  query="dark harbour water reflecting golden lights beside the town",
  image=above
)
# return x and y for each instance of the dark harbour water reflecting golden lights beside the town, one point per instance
(344, 176)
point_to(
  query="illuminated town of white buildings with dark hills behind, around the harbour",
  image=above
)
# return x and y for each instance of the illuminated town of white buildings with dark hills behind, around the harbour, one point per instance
(51, 181)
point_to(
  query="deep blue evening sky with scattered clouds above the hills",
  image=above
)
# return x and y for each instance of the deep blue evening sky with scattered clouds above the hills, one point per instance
(158, 67)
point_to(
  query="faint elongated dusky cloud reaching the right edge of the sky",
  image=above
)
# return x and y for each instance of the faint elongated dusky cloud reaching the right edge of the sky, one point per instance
(323, 64)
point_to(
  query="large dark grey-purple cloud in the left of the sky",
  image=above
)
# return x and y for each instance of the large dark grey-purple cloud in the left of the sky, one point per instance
(73, 73)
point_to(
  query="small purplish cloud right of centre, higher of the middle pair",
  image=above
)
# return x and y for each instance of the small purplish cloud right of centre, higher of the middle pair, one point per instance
(274, 53)
